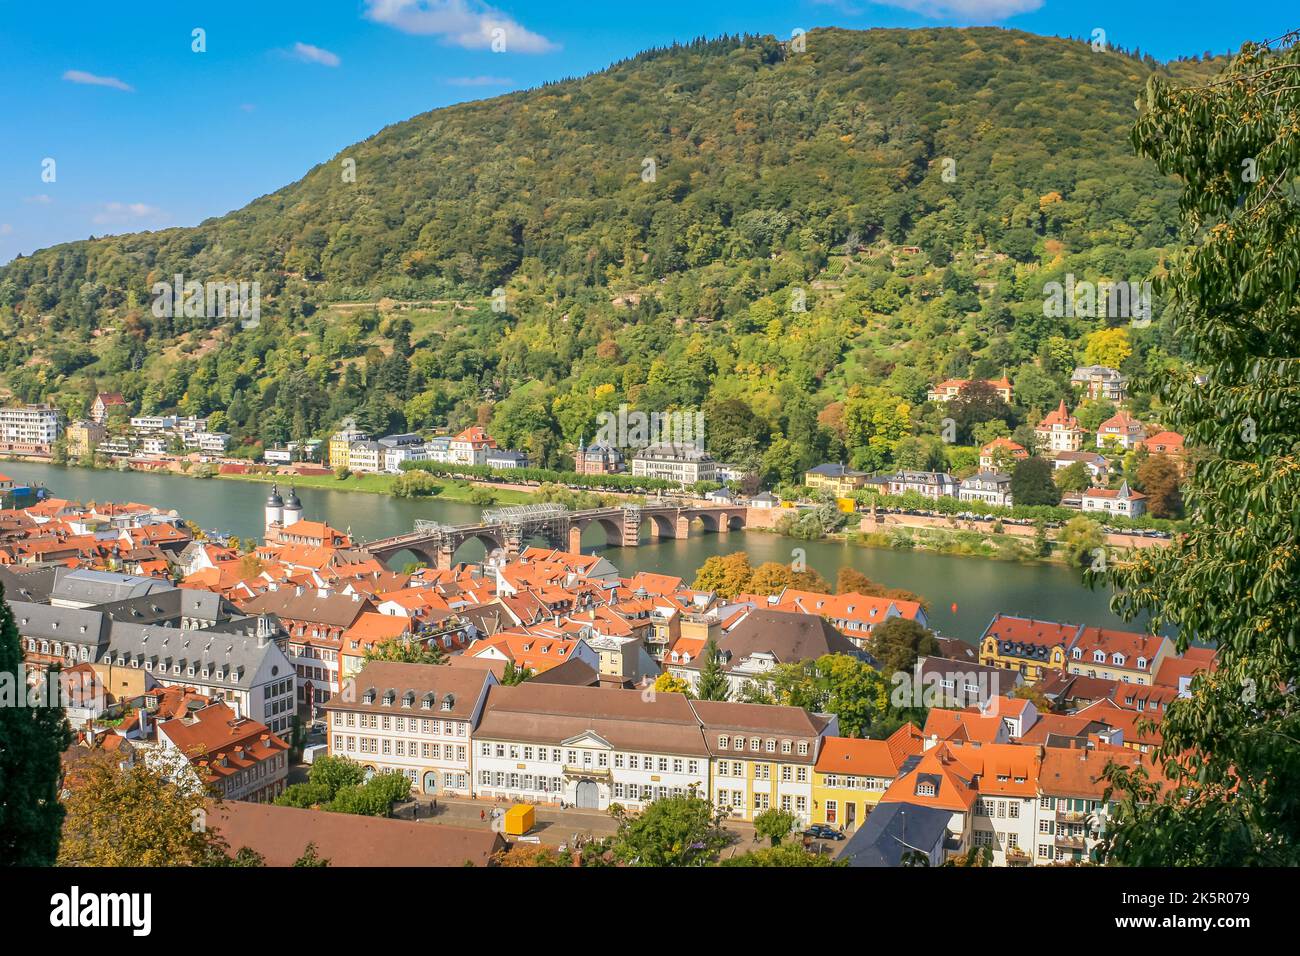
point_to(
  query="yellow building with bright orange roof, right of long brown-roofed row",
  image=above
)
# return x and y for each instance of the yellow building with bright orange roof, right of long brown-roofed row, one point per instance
(851, 776)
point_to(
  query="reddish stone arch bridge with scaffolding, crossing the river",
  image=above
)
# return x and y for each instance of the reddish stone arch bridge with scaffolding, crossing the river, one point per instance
(512, 529)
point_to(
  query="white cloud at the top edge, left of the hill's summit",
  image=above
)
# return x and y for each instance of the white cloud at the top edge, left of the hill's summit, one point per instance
(470, 24)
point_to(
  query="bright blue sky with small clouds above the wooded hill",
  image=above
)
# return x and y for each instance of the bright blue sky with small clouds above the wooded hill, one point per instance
(148, 133)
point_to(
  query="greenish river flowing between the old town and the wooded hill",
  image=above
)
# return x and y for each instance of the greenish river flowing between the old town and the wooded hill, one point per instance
(977, 587)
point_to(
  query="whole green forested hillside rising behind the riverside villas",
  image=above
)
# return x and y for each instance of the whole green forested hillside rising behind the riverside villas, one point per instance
(795, 241)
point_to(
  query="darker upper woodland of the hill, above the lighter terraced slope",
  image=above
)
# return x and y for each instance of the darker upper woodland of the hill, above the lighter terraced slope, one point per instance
(757, 149)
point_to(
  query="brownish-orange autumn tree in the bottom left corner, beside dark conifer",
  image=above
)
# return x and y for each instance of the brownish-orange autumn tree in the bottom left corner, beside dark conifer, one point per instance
(133, 817)
